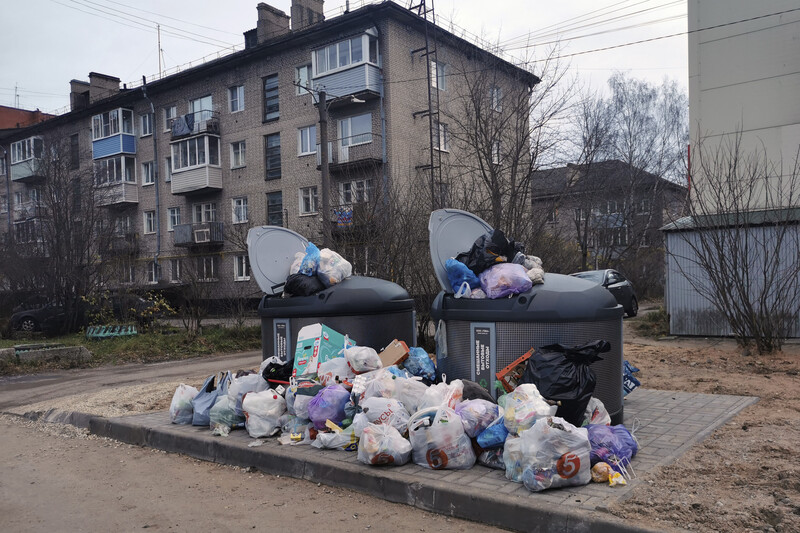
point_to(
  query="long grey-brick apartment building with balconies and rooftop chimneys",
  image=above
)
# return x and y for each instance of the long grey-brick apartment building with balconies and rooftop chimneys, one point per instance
(234, 143)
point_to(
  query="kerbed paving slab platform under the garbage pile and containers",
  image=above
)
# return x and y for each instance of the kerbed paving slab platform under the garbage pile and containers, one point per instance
(665, 423)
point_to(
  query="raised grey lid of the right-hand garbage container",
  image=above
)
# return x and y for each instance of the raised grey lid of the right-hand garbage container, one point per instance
(450, 232)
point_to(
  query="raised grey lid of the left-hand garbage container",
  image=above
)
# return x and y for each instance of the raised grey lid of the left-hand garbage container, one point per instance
(271, 250)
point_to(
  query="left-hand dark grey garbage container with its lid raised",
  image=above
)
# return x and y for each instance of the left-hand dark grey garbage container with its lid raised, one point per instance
(372, 311)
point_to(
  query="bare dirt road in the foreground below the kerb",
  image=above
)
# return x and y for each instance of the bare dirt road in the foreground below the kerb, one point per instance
(57, 478)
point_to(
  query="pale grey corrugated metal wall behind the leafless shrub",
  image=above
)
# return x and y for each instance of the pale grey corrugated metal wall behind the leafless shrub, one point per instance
(691, 313)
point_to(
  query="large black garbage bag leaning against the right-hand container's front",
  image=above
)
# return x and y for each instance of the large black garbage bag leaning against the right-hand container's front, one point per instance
(562, 374)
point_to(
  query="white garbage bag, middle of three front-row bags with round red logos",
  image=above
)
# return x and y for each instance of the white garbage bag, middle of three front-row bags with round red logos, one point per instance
(438, 440)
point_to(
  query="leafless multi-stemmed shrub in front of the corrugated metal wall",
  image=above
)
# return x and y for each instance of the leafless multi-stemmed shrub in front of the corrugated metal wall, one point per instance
(741, 247)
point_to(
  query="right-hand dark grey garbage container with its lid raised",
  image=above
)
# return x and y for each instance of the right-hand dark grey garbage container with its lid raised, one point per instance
(481, 337)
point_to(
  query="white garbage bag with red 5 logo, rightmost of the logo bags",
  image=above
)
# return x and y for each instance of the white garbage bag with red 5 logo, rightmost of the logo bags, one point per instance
(555, 454)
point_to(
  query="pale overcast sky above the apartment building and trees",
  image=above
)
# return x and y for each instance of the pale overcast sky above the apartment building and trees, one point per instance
(47, 43)
